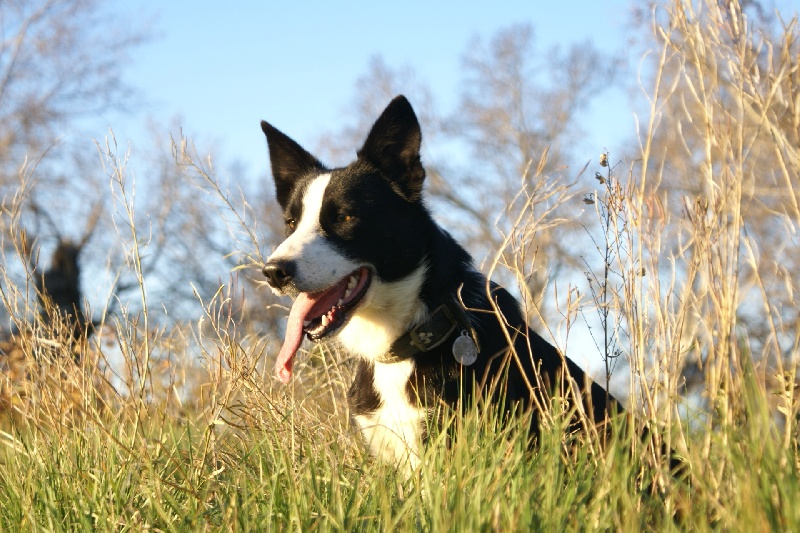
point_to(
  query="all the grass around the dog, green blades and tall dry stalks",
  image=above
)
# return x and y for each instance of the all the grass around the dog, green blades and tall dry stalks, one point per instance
(194, 434)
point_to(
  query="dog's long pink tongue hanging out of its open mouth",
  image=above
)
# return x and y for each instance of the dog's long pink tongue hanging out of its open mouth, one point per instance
(306, 305)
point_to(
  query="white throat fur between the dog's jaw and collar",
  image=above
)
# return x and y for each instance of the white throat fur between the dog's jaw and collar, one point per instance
(386, 312)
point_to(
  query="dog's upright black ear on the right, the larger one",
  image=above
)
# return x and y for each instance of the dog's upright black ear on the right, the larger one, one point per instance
(393, 146)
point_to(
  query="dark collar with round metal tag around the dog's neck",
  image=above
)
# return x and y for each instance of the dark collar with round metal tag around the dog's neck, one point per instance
(445, 322)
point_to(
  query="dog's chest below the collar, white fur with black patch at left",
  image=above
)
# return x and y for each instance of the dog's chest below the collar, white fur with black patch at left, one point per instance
(392, 424)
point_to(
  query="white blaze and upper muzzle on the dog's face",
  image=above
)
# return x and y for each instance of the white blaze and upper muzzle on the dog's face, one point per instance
(319, 265)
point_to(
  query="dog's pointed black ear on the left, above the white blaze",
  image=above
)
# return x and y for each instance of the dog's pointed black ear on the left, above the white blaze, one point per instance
(289, 161)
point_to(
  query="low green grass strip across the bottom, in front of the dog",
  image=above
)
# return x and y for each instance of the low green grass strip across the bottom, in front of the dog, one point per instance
(181, 475)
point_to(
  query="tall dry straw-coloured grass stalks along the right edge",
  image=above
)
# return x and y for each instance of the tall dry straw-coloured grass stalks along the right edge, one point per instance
(714, 231)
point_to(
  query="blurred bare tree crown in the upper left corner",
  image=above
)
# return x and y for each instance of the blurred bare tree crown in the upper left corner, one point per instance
(60, 61)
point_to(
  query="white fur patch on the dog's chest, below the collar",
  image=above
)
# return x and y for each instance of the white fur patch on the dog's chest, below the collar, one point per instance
(394, 431)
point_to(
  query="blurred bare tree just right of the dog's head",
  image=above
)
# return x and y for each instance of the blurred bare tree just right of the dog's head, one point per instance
(519, 115)
